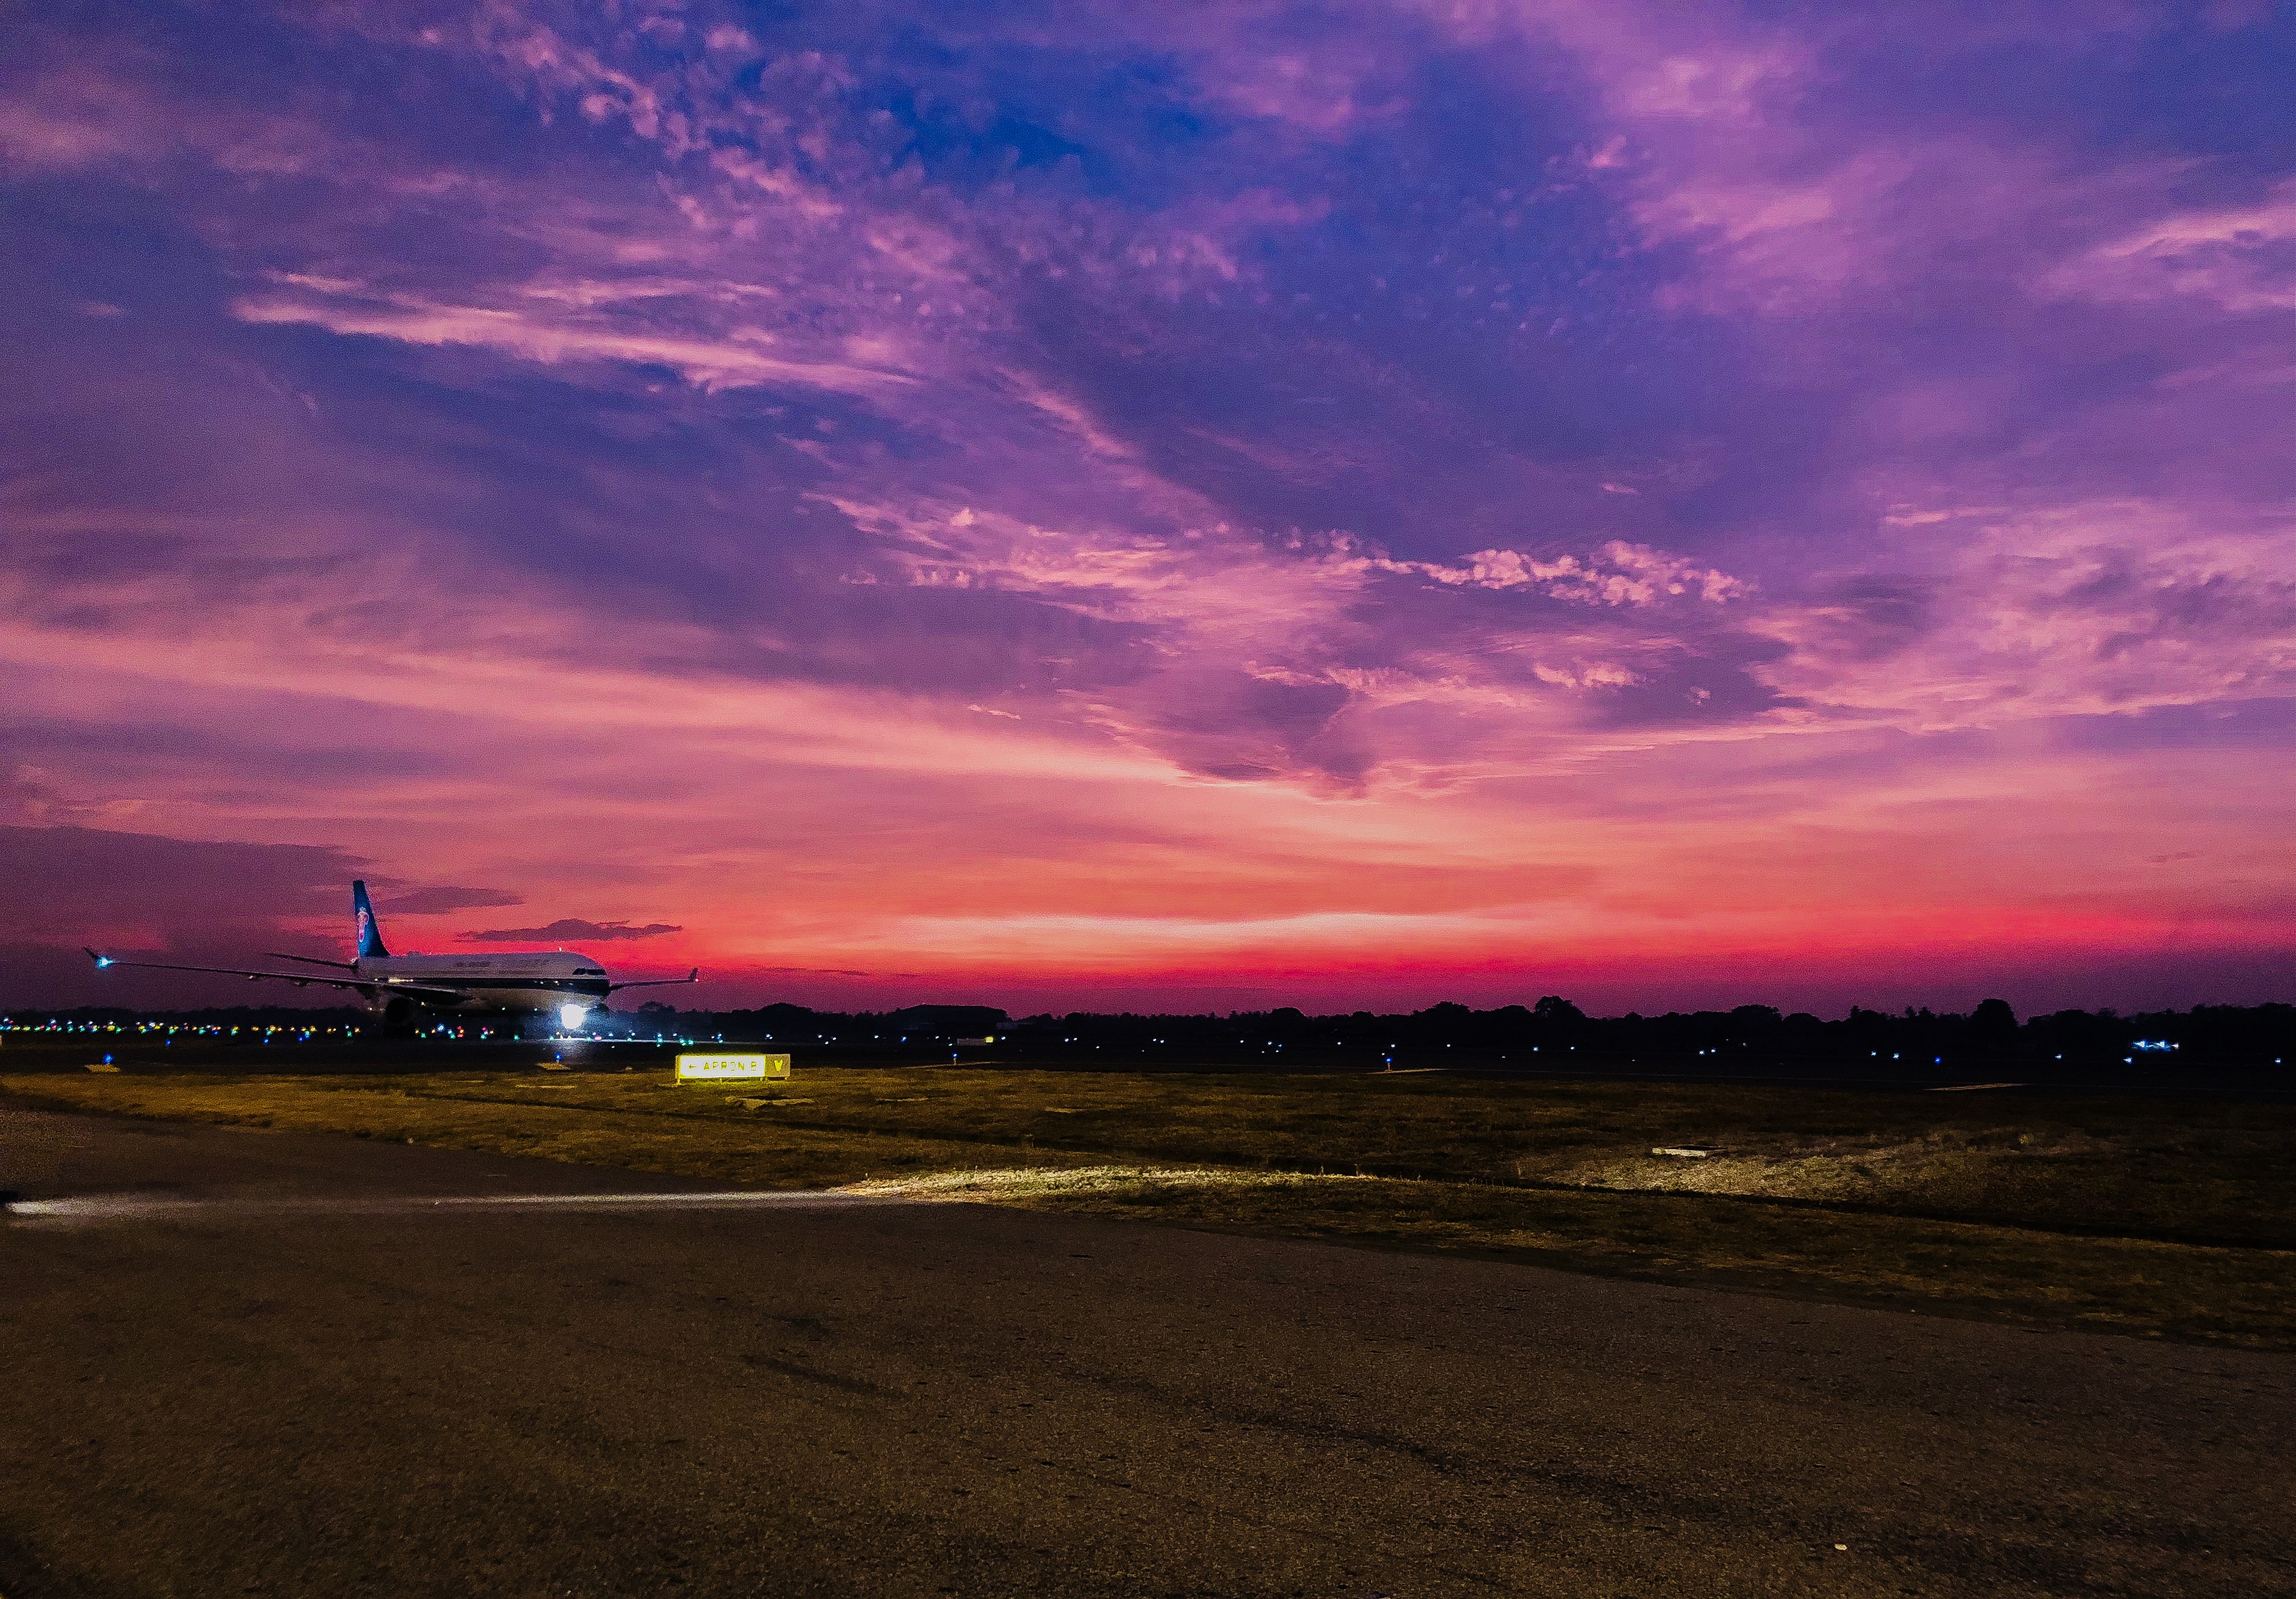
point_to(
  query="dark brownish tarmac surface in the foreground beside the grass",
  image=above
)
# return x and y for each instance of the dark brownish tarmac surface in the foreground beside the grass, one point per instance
(261, 1364)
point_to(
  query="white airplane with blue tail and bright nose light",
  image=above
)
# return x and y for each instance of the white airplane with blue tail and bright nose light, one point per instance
(536, 982)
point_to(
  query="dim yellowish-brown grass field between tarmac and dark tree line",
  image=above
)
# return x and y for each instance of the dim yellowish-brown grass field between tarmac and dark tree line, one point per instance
(2134, 1216)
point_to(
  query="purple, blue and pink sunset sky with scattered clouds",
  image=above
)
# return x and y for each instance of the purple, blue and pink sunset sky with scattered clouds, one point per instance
(1156, 507)
